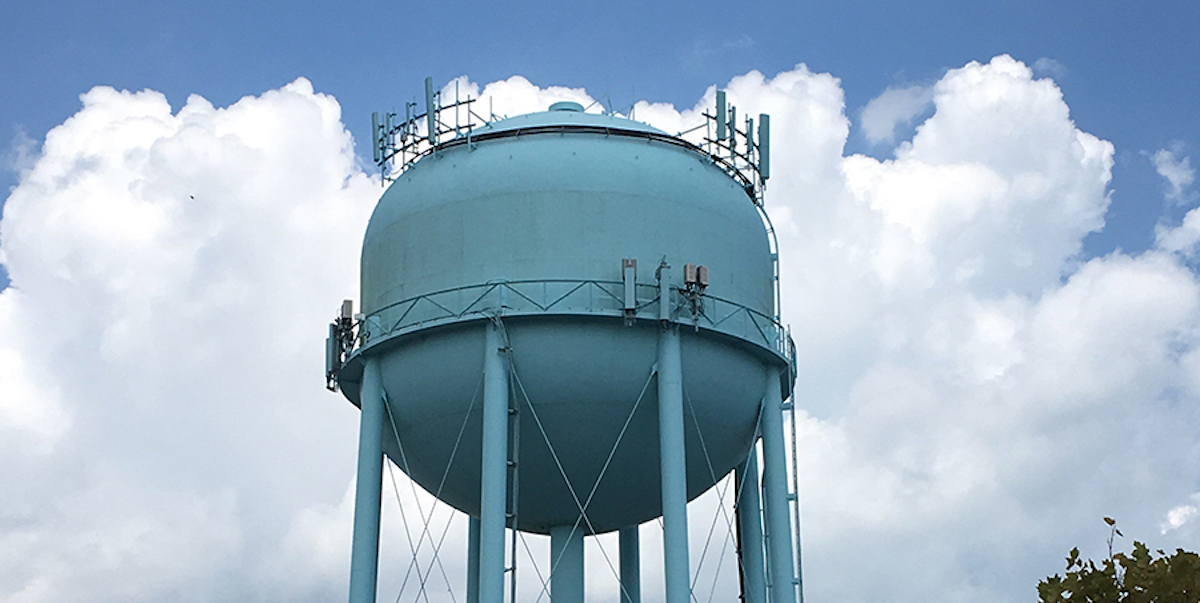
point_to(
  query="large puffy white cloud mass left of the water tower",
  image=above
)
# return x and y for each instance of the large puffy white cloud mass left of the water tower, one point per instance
(167, 273)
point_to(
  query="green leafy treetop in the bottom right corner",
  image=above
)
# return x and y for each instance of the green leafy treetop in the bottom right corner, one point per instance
(1139, 577)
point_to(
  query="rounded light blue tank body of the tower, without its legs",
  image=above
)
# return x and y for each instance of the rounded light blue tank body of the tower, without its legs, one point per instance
(530, 223)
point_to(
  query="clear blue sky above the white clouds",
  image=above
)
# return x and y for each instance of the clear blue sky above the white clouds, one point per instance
(1126, 69)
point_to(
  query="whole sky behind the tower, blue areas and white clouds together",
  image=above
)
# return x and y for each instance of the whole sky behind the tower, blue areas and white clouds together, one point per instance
(992, 283)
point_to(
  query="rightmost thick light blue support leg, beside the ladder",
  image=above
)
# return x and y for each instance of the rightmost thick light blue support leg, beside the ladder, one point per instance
(779, 524)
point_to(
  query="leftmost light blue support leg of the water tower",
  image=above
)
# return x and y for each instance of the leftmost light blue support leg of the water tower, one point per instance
(365, 548)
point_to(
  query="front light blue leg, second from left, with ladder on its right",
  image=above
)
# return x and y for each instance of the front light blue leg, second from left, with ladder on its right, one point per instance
(494, 468)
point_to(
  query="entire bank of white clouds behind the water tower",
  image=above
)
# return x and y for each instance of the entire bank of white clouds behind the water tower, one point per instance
(975, 395)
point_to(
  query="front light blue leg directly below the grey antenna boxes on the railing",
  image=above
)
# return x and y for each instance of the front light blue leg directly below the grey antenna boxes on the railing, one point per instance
(674, 467)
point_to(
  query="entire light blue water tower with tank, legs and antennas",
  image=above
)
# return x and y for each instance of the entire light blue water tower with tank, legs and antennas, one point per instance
(569, 326)
